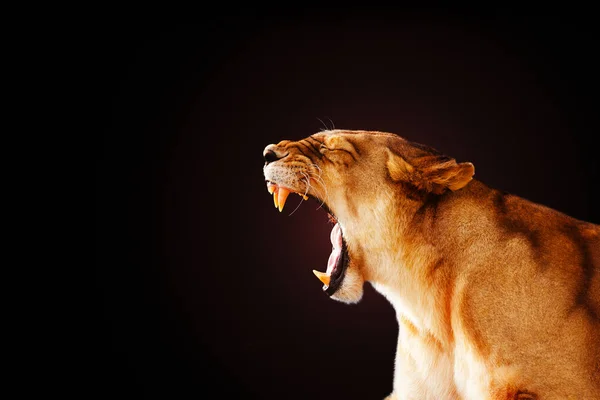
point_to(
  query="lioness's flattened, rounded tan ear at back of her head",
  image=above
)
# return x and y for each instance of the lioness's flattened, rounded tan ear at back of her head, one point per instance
(434, 174)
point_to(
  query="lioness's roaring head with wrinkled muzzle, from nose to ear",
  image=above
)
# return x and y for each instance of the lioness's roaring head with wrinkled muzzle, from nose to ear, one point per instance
(364, 180)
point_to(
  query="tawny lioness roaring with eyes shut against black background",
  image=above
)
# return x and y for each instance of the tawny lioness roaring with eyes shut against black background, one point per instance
(496, 297)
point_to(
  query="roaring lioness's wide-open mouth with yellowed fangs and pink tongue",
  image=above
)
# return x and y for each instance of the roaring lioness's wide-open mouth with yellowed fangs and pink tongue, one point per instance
(338, 259)
